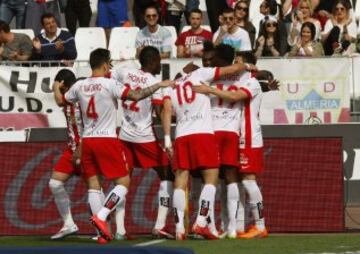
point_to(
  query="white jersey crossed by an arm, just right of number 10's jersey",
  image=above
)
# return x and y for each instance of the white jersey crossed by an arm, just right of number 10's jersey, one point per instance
(226, 115)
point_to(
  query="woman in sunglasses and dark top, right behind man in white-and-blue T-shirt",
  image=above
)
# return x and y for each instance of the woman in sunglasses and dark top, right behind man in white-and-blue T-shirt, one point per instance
(242, 19)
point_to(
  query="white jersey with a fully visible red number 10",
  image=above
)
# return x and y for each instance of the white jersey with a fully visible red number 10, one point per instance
(193, 110)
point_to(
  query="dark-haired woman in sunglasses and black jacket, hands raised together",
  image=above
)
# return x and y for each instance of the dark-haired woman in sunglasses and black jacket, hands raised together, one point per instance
(269, 42)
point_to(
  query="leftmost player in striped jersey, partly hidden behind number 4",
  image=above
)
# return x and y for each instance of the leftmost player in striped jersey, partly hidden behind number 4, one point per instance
(68, 164)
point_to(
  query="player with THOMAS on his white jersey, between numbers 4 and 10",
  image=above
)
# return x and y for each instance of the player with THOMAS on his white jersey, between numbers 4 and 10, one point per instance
(142, 148)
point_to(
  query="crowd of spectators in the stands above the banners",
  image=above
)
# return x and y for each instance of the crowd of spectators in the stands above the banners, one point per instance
(285, 27)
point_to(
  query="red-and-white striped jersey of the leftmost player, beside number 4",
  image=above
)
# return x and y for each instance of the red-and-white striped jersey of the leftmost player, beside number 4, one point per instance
(75, 125)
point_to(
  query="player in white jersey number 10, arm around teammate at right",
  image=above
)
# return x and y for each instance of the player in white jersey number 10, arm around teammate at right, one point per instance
(195, 145)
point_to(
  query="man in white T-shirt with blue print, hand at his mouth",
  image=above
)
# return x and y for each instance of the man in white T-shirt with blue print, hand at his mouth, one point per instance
(231, 34)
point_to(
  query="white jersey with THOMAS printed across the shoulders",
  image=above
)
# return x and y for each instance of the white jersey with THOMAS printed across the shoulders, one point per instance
(137, 116)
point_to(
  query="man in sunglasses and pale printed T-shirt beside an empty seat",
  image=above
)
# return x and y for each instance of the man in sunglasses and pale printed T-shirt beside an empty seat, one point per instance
(153, 34)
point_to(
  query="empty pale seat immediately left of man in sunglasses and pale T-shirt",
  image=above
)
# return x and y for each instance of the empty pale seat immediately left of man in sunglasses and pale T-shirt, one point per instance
(122, 42)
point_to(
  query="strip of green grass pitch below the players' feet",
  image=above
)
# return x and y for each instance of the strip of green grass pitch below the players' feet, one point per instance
(276, 243)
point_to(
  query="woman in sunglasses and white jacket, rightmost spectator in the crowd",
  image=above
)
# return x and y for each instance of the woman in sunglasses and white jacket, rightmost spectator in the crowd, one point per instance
(340, 30)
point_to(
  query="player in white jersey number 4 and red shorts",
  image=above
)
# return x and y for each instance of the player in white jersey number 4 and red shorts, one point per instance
(102, 153)
